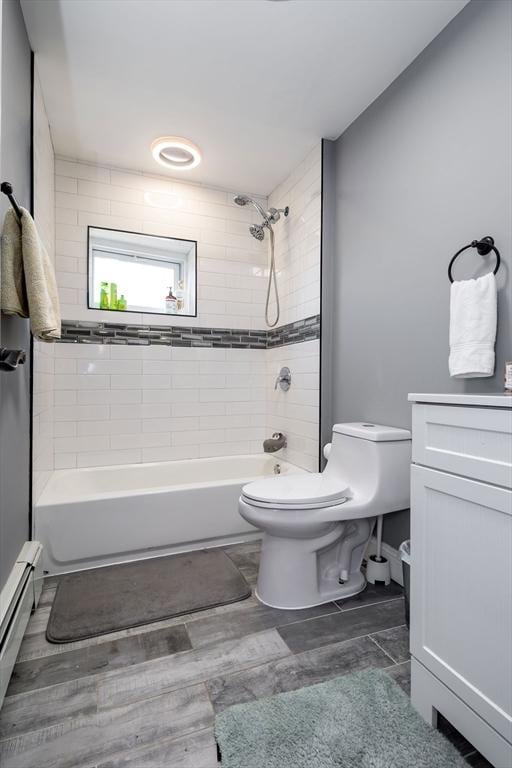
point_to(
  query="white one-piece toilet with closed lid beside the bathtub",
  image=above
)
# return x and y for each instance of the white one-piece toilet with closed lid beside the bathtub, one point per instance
(316, 526)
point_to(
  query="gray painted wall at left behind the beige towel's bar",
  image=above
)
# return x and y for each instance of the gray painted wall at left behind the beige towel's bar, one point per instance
(15, 163)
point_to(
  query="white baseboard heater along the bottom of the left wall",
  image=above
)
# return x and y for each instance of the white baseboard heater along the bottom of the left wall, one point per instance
(17, 599)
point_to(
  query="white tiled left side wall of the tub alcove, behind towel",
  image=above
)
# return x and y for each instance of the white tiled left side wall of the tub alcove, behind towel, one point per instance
(43, 371)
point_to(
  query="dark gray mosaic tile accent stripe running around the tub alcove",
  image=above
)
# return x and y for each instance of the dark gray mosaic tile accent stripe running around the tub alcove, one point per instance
(176, 336)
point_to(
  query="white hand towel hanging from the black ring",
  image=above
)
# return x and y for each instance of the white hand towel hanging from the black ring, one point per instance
(473, 316)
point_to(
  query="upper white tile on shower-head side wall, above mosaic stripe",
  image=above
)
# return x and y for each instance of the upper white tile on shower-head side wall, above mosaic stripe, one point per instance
(297, 247)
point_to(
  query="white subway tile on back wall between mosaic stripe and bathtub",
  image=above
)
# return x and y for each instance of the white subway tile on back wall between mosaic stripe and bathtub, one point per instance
(129, 404)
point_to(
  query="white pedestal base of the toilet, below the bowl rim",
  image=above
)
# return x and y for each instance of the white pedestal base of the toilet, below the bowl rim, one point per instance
(301, 573)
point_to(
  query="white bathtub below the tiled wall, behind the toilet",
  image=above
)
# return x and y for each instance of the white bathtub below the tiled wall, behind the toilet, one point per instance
(98, 516)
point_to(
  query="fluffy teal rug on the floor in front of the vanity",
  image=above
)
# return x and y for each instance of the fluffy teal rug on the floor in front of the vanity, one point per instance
(363, 720)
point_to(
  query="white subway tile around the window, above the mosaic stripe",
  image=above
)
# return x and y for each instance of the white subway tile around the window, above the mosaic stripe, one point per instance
(231, 263)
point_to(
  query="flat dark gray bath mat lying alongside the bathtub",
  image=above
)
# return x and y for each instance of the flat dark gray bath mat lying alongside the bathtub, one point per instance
(101, 600)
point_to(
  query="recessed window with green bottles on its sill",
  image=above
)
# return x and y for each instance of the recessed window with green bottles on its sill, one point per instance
(132, 272)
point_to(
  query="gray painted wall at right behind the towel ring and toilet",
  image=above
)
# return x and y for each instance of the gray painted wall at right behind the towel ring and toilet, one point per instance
(425, 170)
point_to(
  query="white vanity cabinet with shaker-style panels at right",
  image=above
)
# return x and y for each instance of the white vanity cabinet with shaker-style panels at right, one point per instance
(461, 574)
